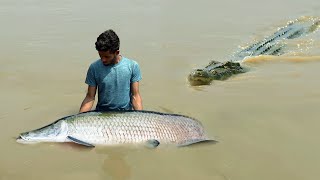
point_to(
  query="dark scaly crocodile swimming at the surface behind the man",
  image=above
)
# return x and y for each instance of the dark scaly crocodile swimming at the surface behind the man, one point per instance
(273, 45)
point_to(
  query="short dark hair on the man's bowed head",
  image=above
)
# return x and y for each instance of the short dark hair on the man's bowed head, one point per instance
(108, 41)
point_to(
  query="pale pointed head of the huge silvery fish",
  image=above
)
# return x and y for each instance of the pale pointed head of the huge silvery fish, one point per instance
(55, 132)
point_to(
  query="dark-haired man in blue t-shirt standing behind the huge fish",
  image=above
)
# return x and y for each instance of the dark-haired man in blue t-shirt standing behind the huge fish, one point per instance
(115, 77)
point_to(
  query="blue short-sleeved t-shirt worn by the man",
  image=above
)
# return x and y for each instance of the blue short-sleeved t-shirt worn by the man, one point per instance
(113, 82)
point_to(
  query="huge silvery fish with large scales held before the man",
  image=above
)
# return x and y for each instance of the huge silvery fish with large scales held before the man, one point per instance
(120, 127)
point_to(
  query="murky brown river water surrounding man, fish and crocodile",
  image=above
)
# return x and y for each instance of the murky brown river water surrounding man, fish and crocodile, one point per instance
(266, 120)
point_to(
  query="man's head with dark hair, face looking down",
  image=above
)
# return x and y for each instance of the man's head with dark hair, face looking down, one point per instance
(108, 45)
